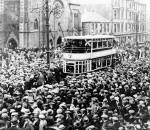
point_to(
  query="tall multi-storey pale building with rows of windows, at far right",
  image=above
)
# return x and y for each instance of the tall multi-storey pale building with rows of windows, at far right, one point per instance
(129, 21)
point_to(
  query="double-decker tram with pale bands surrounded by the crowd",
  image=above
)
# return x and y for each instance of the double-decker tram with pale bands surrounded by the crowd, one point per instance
(83, 54)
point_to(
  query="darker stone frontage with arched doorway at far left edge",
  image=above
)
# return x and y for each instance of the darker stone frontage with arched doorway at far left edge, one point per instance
(9, 23)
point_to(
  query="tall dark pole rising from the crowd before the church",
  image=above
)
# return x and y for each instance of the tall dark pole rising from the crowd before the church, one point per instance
(47, 31)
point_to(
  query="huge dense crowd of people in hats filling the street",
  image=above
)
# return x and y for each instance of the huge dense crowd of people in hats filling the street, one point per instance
(32, 97)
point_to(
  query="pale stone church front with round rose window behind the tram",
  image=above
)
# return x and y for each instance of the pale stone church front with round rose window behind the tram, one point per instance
(64, 20)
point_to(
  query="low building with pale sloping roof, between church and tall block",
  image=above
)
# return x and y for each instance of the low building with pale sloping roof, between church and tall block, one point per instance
(93, 24)
